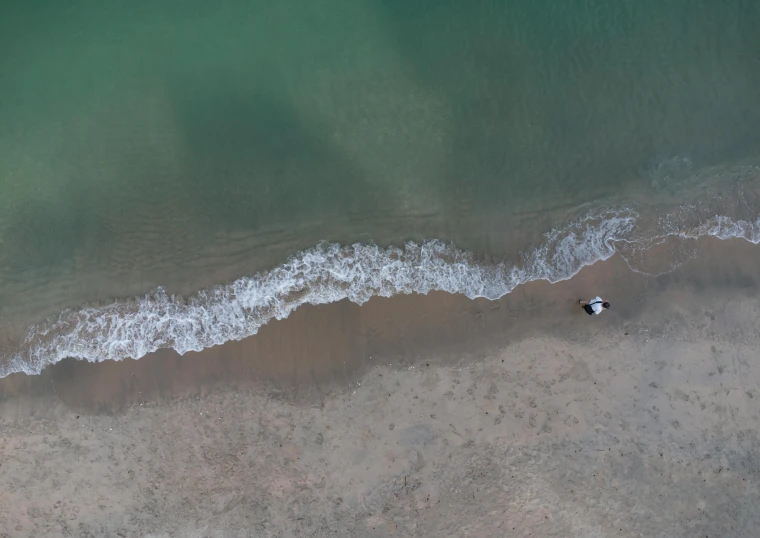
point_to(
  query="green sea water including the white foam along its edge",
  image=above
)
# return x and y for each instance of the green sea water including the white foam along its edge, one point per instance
(187, 144)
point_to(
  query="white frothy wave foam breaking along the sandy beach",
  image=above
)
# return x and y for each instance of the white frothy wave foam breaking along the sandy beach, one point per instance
(324, 274)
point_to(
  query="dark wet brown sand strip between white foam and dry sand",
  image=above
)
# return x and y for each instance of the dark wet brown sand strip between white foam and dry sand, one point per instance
(322, 349)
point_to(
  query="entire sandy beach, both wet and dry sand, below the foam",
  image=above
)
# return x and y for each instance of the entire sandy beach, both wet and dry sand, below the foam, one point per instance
(417, 416)
